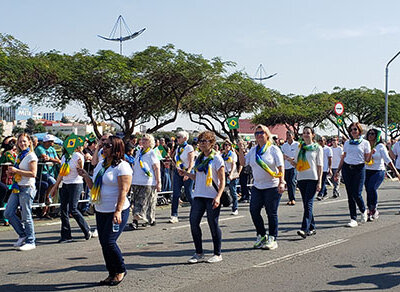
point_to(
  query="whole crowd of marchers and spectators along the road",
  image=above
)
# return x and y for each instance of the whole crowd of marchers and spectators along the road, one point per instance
(118, 176)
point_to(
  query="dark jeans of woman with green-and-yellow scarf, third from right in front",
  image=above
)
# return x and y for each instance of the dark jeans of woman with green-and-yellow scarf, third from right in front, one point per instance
(308, 188)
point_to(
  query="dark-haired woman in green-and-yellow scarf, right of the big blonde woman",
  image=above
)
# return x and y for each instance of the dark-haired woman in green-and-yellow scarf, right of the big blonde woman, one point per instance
(308, 162)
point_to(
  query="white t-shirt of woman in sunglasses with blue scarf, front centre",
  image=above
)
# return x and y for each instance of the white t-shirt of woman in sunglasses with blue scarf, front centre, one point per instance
(200, 187)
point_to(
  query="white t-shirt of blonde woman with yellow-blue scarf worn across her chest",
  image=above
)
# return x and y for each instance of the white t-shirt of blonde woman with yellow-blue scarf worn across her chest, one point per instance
(273, 157)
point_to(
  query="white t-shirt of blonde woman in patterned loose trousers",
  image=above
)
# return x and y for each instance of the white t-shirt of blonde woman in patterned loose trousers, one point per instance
(139, 177)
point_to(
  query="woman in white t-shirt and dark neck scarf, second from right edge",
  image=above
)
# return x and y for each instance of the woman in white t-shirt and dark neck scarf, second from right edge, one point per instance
(356, 152)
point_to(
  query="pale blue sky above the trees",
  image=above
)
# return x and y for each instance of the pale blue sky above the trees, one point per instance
(313, 45)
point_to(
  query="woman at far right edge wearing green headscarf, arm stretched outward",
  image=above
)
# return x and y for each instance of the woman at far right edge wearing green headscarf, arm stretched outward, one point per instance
(375, 171)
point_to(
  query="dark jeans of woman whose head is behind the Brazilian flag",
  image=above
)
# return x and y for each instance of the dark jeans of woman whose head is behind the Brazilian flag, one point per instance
(69, 197)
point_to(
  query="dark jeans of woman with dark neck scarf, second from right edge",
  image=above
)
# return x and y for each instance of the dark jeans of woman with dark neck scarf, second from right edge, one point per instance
(354, 178)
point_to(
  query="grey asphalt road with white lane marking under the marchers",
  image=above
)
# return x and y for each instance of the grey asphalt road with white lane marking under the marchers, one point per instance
(337, 258)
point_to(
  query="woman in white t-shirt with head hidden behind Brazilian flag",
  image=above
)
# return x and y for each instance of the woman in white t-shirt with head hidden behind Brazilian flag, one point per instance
(70, 193)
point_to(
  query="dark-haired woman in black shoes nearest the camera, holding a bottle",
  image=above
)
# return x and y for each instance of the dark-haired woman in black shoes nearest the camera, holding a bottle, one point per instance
(108, 191)
